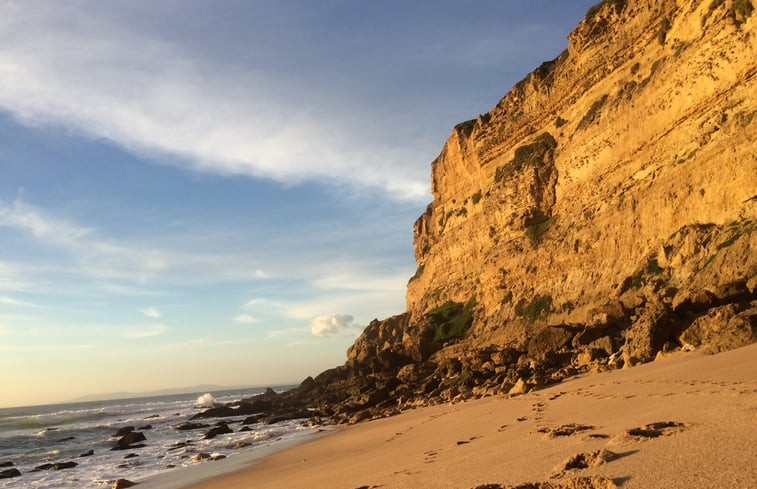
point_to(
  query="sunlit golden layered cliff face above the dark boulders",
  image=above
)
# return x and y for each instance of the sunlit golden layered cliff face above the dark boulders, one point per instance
(587, 168)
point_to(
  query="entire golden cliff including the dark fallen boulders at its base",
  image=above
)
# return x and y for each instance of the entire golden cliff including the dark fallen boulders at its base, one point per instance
(601, 214)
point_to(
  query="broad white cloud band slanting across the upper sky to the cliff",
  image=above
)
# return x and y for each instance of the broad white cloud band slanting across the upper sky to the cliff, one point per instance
(74, 67)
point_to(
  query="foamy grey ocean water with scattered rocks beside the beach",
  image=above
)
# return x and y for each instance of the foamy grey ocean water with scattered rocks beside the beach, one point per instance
(62, 433)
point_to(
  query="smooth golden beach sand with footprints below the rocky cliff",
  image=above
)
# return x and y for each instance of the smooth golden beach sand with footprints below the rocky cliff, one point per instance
(688, 421)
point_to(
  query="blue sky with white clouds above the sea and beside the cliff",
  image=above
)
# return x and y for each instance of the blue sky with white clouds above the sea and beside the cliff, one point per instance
(223, 192)
